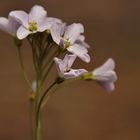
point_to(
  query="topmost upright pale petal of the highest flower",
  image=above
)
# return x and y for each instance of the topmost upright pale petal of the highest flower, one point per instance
(37, 13)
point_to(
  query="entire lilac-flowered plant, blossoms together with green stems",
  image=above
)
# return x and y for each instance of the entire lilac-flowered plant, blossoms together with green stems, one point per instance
(52, 41)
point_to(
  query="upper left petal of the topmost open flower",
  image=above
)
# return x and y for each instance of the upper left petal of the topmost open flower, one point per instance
(20, 16)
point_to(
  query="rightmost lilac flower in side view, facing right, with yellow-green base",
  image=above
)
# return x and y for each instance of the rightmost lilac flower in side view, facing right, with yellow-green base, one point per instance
(104, 75)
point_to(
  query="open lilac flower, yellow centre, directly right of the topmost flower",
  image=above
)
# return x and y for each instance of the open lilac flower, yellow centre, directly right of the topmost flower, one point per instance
(70, 38)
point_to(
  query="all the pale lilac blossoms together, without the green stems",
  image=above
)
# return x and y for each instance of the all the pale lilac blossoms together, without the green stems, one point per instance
(69, 38)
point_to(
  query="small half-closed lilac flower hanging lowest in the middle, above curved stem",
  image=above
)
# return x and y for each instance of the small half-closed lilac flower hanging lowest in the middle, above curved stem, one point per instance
(64, 67)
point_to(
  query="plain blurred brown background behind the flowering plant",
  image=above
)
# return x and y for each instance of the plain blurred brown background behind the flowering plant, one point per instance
(83, 110)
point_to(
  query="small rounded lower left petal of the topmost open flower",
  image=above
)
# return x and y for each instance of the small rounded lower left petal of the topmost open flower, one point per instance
(22, 32)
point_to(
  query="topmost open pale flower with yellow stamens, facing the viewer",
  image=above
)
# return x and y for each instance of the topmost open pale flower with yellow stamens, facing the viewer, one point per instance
(35, 21)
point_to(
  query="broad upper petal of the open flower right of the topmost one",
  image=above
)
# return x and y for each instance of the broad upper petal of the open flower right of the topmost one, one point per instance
(73, 32)
